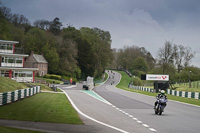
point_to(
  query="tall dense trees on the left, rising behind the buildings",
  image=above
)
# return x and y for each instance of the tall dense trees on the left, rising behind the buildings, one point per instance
(69, 51)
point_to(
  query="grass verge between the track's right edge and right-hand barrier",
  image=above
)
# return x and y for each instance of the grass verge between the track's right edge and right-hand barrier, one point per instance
(125, 80)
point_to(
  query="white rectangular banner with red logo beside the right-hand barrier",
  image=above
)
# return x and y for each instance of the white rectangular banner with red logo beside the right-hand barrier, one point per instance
(157, 77)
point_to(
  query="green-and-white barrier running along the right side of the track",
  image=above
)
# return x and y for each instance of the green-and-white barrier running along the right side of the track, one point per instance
(195, 95)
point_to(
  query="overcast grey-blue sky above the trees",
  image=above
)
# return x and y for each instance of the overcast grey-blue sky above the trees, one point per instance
(144, 23)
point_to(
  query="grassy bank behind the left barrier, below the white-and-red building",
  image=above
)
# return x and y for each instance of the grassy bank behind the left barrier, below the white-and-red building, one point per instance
(7, 85)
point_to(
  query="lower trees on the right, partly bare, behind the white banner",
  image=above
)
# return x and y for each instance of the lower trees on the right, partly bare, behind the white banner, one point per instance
(172, 59)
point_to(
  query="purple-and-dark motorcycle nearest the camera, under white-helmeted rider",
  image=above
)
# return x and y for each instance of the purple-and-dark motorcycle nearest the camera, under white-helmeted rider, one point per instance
(160, 106)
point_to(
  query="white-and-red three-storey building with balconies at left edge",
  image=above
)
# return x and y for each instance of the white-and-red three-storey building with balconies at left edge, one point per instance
(12, 64)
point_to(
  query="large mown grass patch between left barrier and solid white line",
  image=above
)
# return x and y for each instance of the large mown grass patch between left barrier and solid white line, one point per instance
(43, 107)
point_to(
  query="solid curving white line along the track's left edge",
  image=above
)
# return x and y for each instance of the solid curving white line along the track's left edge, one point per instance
(77, 109)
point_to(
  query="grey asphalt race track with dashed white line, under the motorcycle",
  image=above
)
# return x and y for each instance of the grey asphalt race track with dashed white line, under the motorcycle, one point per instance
(133, 112)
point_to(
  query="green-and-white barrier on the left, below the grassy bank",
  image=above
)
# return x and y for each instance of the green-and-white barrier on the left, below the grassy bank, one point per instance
(9, 97)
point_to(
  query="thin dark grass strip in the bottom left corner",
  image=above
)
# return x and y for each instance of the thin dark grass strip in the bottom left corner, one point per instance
(16, 130)
